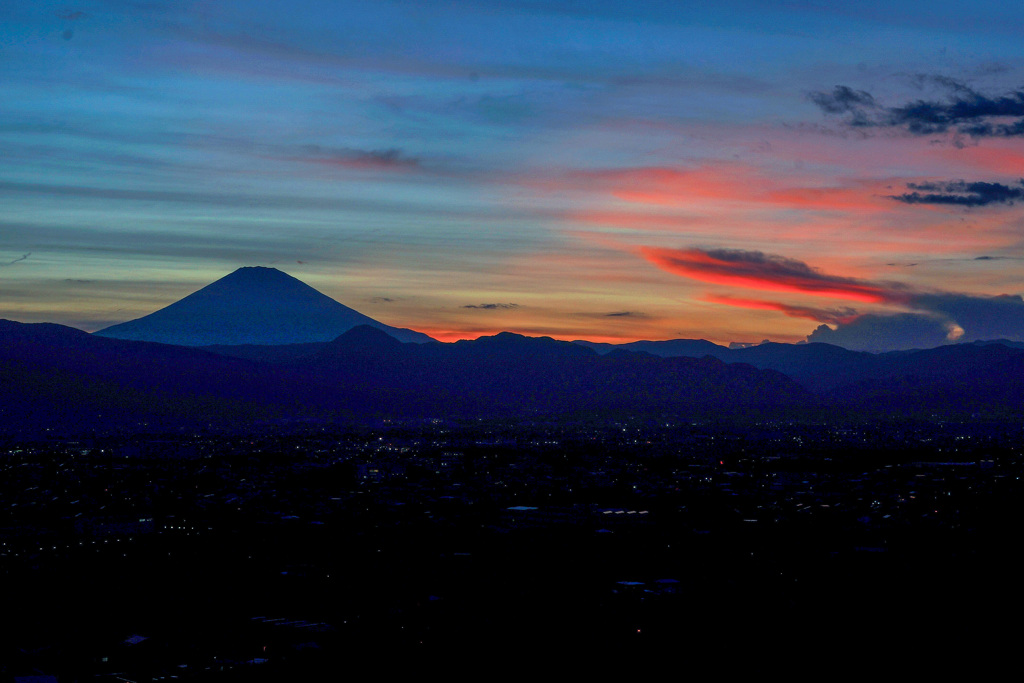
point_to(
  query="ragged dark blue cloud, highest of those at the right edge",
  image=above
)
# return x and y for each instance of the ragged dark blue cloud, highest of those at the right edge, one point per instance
(963, 111)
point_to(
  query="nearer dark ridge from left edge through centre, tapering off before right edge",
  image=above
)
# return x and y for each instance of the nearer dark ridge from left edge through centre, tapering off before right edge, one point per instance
(62, 378)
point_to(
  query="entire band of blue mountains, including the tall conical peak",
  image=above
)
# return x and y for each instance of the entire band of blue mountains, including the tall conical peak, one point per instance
(265, 360)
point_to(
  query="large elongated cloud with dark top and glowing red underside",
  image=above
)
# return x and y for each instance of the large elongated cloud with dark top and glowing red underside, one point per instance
(765, 272)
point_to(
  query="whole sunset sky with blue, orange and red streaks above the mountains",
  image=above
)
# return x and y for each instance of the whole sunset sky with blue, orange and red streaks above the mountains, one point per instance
(851, 174)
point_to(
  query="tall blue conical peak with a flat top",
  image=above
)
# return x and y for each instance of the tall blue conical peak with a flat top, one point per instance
(252, 306)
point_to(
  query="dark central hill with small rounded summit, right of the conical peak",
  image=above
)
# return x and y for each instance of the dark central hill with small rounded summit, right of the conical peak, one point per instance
(515, 375)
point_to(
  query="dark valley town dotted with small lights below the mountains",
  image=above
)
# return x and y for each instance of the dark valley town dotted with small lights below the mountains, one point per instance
(425, 547)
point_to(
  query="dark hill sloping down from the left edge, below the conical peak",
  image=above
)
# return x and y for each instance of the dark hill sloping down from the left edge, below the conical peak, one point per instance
(66, 379)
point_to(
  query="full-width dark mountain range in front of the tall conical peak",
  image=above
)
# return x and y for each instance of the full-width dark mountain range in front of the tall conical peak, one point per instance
(62, 379)
